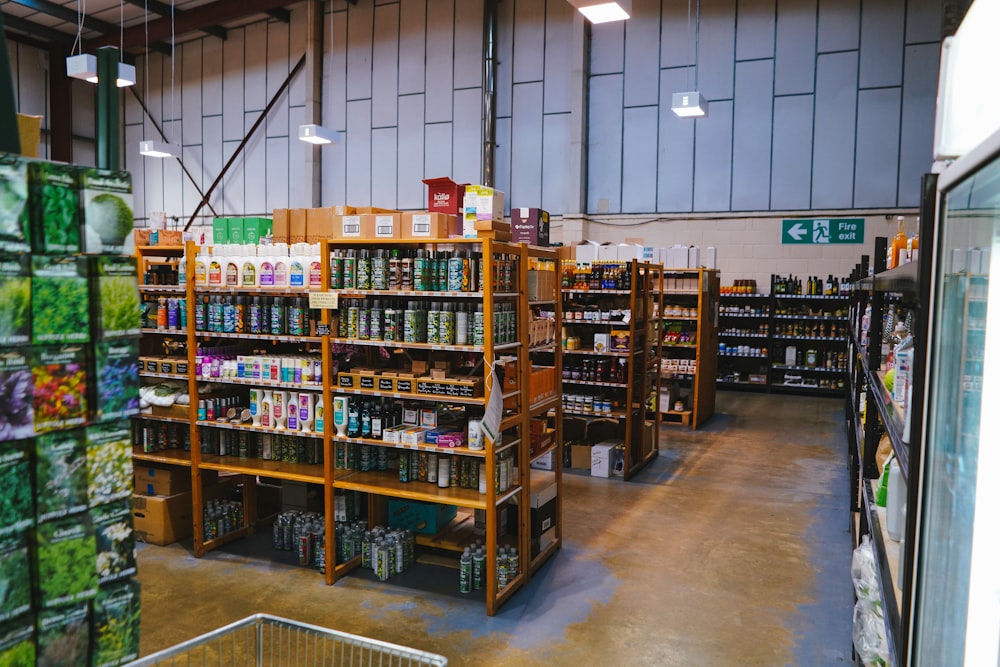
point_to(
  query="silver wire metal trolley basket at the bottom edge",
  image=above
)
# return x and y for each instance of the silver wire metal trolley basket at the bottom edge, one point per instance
(272, 641)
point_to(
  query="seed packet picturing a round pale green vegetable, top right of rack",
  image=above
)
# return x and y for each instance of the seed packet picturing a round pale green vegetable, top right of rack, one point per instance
(106, 199)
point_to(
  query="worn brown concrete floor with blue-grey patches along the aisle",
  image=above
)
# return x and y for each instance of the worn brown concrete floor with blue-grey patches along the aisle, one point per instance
(732, 548)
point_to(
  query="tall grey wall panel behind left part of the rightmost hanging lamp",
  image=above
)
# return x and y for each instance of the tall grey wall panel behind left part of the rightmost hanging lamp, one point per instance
(675, 176)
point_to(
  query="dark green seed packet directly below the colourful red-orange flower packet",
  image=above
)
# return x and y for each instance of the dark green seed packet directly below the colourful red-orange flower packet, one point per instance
(61, 473)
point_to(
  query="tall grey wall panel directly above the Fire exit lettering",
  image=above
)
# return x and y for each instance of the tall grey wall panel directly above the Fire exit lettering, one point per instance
(833, 135)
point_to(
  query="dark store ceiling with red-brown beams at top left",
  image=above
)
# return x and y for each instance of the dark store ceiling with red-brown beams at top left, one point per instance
(135, 25)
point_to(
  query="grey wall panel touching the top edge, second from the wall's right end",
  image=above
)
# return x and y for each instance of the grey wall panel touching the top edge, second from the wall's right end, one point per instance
(881, 43)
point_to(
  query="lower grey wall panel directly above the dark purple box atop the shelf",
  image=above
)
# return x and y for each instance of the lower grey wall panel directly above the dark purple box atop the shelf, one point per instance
(526, 143)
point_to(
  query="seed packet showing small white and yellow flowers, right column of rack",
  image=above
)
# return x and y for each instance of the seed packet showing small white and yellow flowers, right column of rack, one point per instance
(109, 462)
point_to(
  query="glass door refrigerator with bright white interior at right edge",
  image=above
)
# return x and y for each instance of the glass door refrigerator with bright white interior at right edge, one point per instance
(955, 603)
